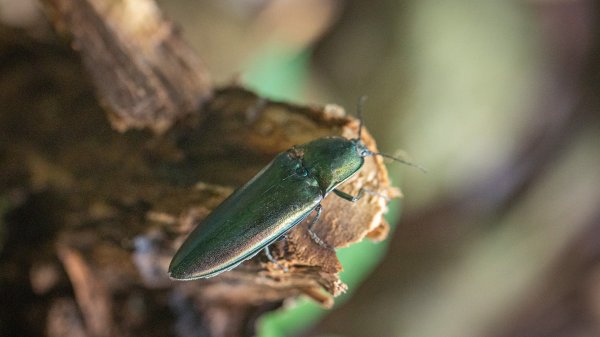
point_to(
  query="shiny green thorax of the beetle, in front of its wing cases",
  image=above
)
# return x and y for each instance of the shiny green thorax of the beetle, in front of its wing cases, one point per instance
(330, 160)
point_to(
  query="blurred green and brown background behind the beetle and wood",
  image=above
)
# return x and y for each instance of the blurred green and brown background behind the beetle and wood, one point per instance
(499, 100)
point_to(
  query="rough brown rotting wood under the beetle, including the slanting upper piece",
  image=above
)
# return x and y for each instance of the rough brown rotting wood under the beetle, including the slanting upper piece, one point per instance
(92, 217)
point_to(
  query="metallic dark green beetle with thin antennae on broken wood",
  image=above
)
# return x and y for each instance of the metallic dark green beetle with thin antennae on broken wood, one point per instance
(279, 197)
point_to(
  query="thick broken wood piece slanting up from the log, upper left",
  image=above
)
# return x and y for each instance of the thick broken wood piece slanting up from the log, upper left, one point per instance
(145, 74)
